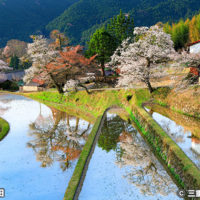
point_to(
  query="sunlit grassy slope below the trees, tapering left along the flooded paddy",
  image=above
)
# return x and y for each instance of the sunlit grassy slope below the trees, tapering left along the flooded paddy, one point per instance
(88, 107)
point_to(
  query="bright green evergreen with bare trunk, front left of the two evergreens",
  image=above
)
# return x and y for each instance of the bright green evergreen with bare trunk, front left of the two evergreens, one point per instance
(103, 45)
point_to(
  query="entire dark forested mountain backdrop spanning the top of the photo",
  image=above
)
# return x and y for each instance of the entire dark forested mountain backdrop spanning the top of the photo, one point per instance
(78, 19)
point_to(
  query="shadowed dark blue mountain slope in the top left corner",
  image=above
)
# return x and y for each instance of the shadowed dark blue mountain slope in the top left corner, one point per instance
(21, 18)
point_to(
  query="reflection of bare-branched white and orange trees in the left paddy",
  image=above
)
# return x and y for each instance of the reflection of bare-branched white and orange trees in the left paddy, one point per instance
(55, 140)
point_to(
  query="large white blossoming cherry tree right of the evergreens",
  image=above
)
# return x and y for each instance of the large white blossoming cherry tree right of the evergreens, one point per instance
(142, 59)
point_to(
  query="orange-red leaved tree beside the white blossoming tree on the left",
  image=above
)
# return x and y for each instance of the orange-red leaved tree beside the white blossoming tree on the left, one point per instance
(78, 69)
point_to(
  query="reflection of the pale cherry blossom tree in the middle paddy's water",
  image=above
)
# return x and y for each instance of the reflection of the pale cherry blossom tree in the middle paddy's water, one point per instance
(146, 172)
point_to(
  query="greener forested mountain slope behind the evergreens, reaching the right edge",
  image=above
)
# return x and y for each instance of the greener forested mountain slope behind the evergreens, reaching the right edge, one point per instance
(82, 18)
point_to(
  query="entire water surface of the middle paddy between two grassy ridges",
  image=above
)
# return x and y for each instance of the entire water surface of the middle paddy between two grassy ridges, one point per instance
(123, 167)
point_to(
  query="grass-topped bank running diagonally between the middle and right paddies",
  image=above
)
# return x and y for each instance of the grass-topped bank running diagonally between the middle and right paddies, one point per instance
(180, 166)
